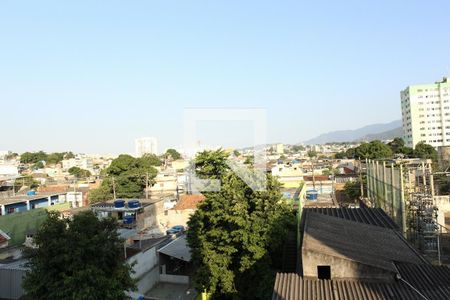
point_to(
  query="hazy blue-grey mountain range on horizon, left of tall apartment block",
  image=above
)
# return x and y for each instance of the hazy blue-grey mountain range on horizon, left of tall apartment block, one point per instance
(366, 133)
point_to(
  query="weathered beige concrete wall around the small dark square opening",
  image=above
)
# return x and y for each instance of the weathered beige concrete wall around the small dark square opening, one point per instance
(340, 267)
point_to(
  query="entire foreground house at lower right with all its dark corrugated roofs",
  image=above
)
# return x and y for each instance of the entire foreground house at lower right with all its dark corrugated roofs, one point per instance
(358, 253)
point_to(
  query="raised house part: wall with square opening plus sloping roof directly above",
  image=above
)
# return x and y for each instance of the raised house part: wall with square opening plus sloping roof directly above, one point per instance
(334, 247)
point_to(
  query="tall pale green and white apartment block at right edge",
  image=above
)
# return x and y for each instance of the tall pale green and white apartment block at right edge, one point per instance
(426, 113)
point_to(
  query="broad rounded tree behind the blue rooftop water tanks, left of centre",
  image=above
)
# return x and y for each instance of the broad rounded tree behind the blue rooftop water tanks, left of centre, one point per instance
(128, 175)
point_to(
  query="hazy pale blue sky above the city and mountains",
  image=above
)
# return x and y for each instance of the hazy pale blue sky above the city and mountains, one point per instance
(91, 76)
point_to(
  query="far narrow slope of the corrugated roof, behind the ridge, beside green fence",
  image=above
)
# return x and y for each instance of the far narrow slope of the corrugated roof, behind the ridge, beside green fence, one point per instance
(366, 215)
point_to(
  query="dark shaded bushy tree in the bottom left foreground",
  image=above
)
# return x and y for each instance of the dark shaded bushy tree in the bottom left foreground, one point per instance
(79, 258)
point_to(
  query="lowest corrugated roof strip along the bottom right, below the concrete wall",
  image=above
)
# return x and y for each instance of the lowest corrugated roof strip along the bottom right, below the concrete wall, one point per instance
(290, 286)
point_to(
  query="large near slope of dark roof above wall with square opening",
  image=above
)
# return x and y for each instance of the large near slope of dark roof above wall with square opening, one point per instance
(370, 245)
